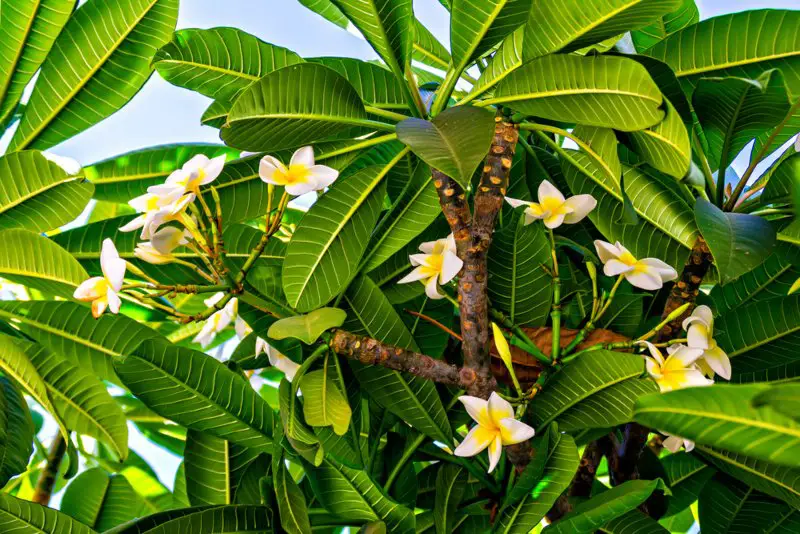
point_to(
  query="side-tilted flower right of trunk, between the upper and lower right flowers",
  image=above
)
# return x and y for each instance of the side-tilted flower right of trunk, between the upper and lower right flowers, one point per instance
(647, 273)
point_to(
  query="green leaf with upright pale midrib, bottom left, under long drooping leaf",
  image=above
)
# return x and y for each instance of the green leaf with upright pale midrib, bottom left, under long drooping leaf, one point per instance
(214, 468)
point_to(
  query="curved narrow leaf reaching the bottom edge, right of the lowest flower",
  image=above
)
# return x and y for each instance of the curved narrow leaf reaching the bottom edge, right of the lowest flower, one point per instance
(562, 461)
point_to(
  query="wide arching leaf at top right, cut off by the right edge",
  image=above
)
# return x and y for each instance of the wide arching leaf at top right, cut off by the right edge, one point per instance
(767, 38)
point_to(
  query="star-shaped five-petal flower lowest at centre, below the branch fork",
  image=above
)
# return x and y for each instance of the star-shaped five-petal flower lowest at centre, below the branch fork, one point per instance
(496, 427)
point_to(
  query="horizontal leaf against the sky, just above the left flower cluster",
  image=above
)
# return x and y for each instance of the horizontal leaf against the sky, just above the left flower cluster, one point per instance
(126, 176)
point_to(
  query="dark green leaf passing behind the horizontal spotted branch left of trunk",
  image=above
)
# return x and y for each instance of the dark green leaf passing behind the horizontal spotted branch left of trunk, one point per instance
(411, 398)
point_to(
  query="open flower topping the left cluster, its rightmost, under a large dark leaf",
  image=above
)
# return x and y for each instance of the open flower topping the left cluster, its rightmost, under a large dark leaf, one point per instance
(301, 176)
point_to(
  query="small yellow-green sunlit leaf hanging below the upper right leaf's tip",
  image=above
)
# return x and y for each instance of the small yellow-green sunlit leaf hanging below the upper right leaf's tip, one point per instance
(665, 146)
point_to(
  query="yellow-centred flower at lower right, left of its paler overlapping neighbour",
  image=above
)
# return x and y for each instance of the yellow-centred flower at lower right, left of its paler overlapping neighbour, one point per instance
(677, 370)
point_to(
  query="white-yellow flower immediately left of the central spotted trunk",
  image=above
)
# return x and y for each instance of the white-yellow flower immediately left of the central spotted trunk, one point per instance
(438, 264)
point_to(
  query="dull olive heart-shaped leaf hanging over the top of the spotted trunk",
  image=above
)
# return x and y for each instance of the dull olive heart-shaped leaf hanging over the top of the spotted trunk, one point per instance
(454, 142)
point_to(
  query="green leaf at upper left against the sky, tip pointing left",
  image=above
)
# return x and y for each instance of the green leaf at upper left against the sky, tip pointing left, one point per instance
(219, 62)
